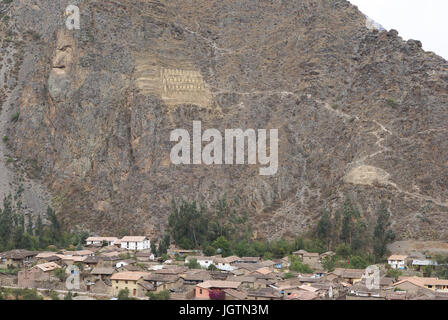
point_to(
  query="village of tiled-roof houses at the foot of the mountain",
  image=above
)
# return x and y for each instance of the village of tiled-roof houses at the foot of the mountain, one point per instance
(109, 268)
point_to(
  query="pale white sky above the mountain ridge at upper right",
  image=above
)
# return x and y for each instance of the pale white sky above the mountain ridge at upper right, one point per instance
(424, 20)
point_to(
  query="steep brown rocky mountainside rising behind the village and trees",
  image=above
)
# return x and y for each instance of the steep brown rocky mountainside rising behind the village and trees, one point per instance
(360, 112)
